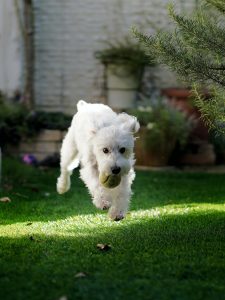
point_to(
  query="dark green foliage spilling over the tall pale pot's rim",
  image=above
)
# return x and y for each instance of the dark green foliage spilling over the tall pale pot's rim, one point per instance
(126, 53)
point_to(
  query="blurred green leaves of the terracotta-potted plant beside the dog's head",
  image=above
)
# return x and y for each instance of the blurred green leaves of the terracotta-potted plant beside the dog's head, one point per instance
(165, 125)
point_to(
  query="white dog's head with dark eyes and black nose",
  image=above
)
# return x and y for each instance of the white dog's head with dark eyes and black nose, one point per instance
(114, 144)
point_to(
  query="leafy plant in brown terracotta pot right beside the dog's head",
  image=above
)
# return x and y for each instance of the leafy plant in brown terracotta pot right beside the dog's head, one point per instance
(162, 127)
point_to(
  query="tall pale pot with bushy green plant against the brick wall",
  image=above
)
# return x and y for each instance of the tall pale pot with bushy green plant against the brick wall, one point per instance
(124, 62)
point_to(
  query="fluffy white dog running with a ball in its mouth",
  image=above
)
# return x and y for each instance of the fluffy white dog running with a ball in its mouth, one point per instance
(102, 142)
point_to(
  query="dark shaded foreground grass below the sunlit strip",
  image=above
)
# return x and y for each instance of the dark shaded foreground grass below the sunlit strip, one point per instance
(169, 257)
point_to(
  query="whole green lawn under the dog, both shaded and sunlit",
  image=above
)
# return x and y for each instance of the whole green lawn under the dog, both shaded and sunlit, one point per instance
(170, 246)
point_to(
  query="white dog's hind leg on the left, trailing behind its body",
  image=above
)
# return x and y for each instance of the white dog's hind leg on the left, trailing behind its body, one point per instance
(69, 161)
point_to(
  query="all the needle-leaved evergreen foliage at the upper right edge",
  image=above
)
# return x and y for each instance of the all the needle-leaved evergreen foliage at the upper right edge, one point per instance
(195, 51)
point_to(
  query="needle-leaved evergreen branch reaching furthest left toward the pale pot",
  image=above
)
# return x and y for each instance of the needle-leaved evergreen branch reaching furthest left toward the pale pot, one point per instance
(170, 50)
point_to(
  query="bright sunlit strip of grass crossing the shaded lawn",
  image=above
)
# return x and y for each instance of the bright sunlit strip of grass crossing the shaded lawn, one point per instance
(83, 225)
